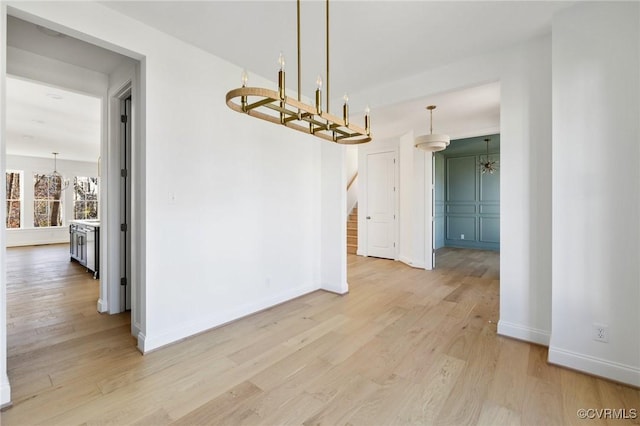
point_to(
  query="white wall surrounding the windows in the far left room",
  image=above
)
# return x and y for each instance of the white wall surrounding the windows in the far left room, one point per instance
(28, 235)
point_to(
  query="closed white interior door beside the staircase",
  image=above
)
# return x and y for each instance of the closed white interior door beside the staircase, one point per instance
(380, 213)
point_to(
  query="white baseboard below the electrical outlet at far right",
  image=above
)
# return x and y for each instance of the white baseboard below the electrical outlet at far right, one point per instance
(596, 366)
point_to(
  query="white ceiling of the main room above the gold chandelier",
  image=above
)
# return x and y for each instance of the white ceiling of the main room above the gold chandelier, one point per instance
(371, 42)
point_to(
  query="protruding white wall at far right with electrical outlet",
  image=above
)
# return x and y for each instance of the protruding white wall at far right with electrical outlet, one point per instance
(596, 201)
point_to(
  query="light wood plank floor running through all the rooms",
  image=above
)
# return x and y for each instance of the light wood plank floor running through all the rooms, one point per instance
(405, 346)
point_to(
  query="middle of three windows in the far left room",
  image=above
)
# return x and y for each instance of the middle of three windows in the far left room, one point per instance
(47, 191)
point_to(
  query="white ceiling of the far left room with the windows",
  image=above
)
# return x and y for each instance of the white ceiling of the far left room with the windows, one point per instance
(42, 119)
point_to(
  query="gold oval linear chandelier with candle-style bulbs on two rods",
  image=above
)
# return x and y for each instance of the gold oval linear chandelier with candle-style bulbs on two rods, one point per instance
(277, 107)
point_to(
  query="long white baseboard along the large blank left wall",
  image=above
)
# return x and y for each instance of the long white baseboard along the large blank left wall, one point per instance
(147, 343)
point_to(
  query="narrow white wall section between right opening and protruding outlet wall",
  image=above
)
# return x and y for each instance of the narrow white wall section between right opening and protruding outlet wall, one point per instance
(525, 194)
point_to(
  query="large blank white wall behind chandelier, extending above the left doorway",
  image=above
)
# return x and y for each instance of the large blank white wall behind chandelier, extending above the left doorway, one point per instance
(249, 235)
